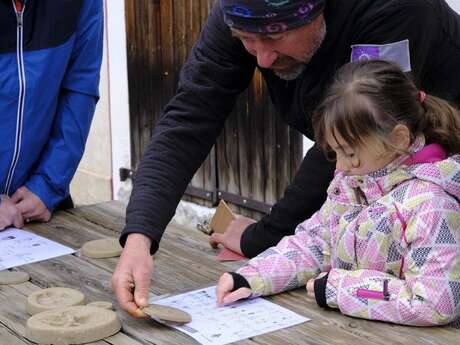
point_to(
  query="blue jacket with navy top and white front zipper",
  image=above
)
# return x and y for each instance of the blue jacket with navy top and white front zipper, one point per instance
(50, 57)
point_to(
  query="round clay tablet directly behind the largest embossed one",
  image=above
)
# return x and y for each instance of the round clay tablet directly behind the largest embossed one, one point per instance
(53, 298)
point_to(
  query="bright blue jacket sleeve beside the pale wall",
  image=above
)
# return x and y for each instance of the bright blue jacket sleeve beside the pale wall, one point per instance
(76, 104)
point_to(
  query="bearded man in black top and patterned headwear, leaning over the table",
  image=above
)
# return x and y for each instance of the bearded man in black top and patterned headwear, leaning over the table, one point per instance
(298, 45)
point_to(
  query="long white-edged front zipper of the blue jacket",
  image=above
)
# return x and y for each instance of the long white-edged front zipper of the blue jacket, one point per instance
(19, 10)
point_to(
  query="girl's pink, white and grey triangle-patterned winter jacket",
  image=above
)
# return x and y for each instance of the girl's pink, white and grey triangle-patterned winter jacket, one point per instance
(390, 241)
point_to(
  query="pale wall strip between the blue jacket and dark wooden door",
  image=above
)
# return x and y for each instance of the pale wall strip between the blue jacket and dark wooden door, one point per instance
(108, 146)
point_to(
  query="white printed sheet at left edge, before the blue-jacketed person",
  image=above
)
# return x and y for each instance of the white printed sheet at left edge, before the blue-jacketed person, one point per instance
(19, 247)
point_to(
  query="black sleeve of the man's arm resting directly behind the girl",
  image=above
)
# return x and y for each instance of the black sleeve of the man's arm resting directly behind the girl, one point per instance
(301, 199)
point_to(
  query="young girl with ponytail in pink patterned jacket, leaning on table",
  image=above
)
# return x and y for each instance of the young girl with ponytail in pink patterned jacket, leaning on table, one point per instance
(387, 238)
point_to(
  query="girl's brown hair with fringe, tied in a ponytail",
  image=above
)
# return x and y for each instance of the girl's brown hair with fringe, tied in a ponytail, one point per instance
(370, 98)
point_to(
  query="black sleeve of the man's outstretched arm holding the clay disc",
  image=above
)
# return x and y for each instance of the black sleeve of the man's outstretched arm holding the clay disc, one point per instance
(216, 72)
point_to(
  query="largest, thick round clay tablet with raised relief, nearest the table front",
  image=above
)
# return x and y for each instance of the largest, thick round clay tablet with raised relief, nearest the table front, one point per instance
(72, 325)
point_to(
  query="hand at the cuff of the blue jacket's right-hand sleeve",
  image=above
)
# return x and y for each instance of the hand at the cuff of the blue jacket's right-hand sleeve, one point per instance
(30, 205)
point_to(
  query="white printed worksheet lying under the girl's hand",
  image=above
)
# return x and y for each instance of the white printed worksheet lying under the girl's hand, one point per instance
(218, 325)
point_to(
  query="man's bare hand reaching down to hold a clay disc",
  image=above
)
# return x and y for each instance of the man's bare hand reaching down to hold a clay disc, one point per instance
(131, 279)
